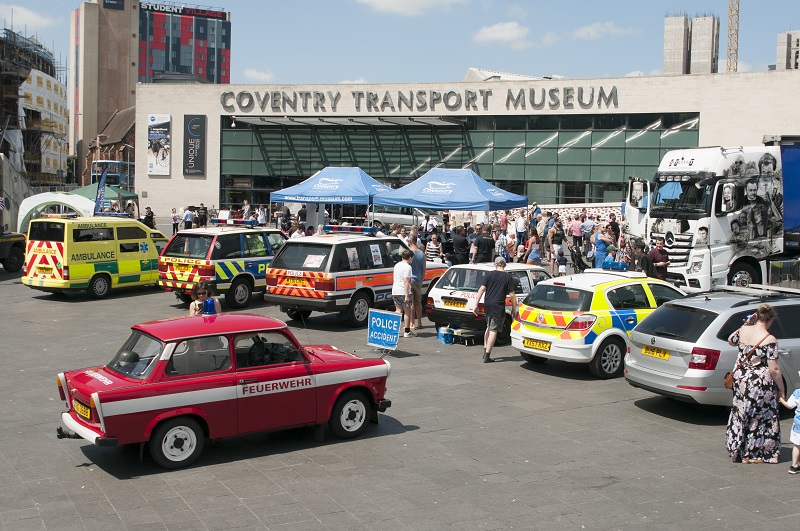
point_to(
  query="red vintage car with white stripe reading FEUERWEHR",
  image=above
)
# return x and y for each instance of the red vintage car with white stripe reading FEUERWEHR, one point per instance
(176, 382)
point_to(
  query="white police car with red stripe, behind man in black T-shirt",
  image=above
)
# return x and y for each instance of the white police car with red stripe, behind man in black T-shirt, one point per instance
(453, 298)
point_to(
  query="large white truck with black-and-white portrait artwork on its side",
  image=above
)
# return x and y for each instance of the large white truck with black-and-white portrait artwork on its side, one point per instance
(724, 213)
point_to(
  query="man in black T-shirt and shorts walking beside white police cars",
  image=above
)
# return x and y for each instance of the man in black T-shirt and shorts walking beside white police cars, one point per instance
(496, 285)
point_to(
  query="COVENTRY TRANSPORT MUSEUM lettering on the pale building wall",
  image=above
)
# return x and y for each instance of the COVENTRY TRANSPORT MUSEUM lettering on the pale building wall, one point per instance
(411, 101)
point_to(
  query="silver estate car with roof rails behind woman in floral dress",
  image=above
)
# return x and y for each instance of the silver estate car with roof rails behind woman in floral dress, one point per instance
(681, 350)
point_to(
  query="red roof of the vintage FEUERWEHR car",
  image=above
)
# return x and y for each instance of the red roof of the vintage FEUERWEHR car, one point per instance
(183, 327)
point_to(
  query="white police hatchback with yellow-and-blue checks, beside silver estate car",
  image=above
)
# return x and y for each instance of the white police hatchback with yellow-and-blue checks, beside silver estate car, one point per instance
(587, 318)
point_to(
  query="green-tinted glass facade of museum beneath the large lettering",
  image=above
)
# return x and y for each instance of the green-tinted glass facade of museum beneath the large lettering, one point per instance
(551, 159)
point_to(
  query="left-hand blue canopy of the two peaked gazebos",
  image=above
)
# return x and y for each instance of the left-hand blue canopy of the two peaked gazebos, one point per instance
(347, 186)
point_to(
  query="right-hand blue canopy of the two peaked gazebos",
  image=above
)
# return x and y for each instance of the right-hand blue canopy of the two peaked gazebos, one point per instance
(451, 189)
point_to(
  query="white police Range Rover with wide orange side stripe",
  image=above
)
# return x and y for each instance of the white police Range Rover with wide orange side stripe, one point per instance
(348, 272)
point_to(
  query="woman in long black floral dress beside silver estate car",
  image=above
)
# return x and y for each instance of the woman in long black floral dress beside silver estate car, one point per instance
(754, 430)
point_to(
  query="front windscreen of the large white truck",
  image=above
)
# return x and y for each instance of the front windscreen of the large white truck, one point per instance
(682, 194)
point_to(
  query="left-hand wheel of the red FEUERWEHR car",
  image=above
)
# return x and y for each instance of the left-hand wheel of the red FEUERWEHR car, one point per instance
(177, 442)
